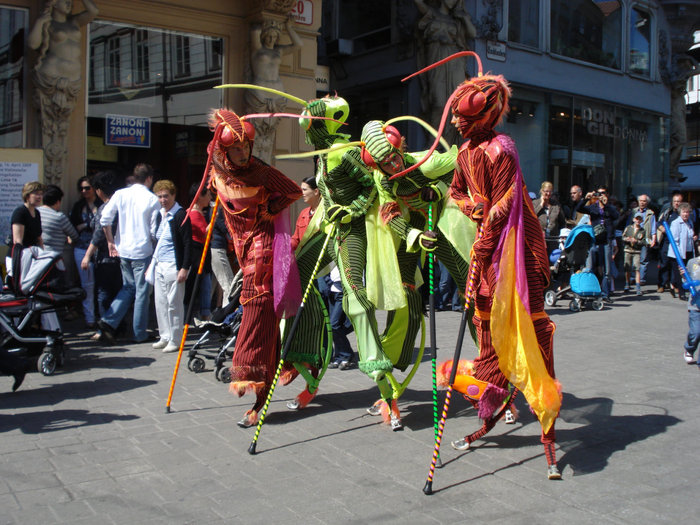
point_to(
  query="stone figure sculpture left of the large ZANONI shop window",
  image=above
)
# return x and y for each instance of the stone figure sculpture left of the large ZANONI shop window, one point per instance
(56, 36)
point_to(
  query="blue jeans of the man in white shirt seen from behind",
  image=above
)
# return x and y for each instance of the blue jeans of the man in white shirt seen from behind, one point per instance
(136, 290)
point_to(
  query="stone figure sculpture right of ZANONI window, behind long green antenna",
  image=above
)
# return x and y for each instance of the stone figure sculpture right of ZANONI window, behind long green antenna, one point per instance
(265, 58)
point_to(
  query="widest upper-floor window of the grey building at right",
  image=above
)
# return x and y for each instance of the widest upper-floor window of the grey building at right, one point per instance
(587, 30)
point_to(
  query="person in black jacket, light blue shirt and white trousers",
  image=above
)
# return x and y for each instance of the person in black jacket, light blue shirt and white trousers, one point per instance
(172, 259)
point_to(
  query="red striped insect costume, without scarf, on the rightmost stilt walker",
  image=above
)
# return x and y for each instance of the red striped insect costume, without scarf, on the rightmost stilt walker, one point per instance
(486, 185)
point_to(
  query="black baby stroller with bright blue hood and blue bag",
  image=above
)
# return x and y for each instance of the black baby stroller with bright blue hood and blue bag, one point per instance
(570, 278)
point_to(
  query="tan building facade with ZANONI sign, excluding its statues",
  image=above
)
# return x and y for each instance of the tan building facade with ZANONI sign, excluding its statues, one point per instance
(148, 71)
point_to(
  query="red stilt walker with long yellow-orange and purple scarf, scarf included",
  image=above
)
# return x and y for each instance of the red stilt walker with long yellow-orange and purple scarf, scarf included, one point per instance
(509, 264)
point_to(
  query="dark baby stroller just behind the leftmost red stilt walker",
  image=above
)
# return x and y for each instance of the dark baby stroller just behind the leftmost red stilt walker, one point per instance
(224, 324)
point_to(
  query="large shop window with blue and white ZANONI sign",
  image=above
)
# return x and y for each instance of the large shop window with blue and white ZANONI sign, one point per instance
(157, 112)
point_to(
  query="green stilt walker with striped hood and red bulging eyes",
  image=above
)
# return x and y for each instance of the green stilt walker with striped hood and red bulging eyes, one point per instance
(403, 208)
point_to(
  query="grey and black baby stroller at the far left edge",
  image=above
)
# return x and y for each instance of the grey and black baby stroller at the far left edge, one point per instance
(31, 294)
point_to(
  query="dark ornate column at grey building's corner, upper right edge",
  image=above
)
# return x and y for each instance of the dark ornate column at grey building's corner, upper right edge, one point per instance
(683, 17)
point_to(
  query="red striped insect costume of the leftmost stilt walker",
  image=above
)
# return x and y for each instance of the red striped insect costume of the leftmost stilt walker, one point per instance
(251, 194)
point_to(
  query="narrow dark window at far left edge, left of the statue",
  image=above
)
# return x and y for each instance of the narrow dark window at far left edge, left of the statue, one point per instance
(13, 27)
